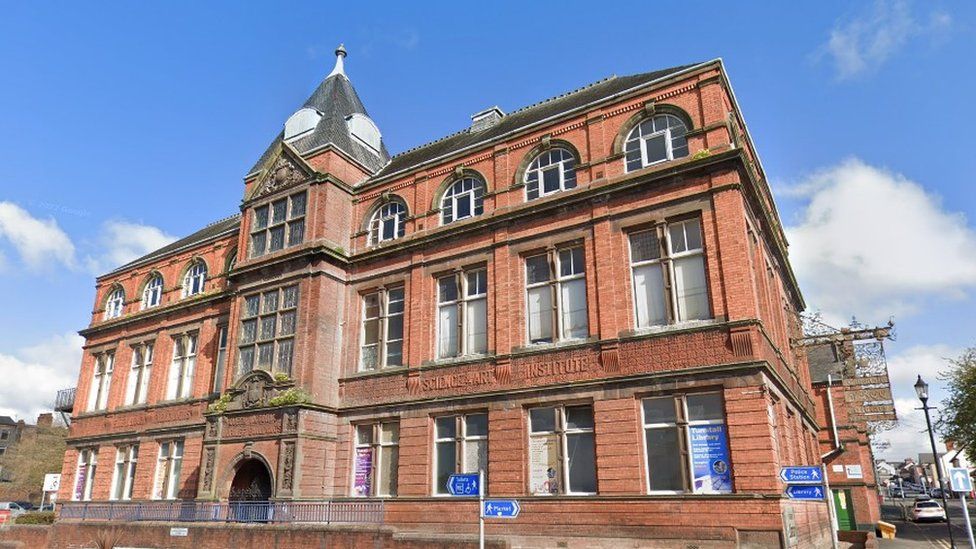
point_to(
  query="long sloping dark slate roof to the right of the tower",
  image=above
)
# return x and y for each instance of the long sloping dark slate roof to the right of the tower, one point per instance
(526, 116)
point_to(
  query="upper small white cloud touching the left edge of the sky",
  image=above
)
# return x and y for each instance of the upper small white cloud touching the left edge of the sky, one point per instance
(39, 242)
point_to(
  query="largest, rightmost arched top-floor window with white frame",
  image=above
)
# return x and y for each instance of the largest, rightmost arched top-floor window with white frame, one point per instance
(655, 140)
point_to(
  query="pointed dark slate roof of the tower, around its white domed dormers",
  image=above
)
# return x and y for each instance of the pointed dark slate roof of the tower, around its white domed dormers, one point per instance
(335, 99)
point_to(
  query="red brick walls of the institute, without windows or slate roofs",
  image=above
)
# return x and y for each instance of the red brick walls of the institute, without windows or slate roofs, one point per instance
(742, 351)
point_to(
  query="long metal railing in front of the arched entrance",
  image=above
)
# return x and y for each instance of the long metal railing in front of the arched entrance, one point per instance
(324, 512)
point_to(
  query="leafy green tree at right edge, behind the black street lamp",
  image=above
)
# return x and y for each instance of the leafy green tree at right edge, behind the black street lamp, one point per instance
(958, 422)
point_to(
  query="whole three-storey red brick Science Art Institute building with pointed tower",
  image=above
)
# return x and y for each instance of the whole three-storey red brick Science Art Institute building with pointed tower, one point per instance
(590, 298)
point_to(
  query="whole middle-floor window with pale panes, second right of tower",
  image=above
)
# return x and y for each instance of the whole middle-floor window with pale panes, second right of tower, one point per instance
(462, 314)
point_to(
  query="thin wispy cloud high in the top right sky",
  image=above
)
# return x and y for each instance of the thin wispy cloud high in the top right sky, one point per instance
(865, 42)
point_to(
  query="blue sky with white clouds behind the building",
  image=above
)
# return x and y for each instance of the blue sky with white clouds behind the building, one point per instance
(127, 125)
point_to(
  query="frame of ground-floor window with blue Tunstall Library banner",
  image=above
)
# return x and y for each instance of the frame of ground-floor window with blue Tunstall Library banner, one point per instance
(682, 423)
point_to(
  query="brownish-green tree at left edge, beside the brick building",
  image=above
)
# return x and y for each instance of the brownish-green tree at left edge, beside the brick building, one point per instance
(39, 451)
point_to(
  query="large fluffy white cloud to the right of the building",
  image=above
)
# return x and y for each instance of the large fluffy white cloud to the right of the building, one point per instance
(874, 243)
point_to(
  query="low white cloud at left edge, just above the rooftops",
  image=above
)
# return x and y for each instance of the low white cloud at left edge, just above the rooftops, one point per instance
(33, 375)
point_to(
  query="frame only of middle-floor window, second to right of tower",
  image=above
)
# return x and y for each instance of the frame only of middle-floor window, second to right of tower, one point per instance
(463, 305)
